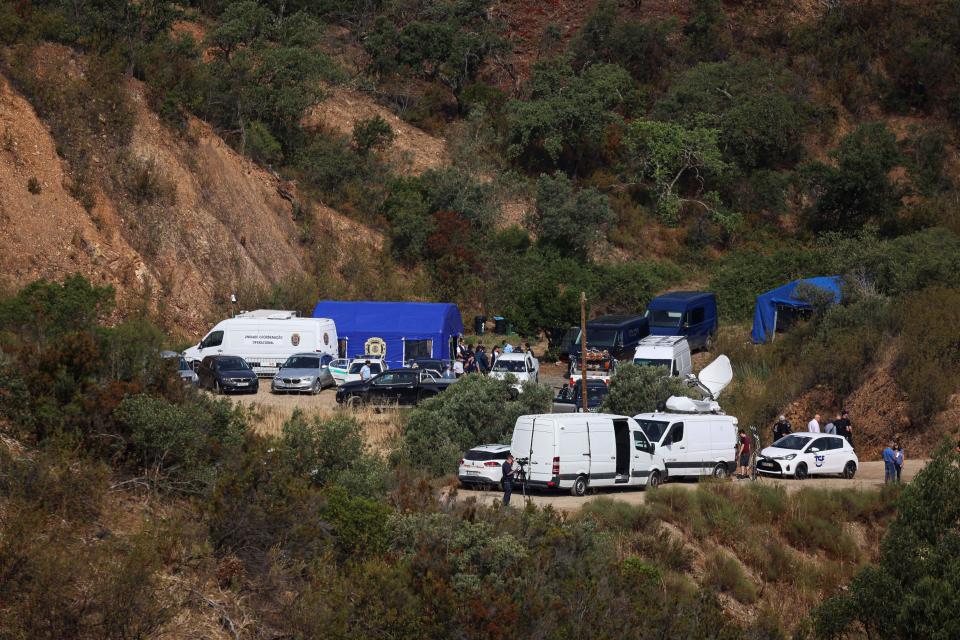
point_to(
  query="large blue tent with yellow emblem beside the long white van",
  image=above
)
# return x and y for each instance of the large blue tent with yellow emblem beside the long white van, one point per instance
(406, 329)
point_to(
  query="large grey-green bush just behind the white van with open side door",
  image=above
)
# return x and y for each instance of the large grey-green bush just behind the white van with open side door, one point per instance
(476, 409)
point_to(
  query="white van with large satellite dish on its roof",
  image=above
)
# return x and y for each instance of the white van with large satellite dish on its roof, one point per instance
(694, 437)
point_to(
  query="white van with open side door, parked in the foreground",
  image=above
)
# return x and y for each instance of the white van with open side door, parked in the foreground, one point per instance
(576, 450)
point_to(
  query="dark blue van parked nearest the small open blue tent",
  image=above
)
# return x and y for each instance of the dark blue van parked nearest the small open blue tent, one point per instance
(684, 313)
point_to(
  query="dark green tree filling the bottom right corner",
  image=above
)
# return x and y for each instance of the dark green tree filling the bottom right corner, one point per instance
(913, 592)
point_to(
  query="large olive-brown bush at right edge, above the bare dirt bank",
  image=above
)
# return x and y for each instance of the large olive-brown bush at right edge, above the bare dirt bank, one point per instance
(929, 364)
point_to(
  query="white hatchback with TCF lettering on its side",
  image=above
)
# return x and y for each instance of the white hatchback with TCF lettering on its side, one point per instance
(804, 454)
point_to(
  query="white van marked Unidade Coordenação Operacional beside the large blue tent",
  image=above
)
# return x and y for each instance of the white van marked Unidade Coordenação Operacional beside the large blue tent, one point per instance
(266, 338)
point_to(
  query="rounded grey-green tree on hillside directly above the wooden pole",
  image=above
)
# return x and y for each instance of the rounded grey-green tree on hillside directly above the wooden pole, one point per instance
(568, 220)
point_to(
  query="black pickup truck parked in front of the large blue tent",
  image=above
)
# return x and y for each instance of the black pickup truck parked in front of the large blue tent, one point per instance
(403, 387)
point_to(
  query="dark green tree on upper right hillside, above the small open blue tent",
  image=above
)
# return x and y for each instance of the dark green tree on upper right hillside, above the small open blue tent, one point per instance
(857, 190)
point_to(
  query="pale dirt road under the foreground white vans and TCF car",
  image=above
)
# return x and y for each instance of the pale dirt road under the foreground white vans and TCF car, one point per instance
(869, 476)
